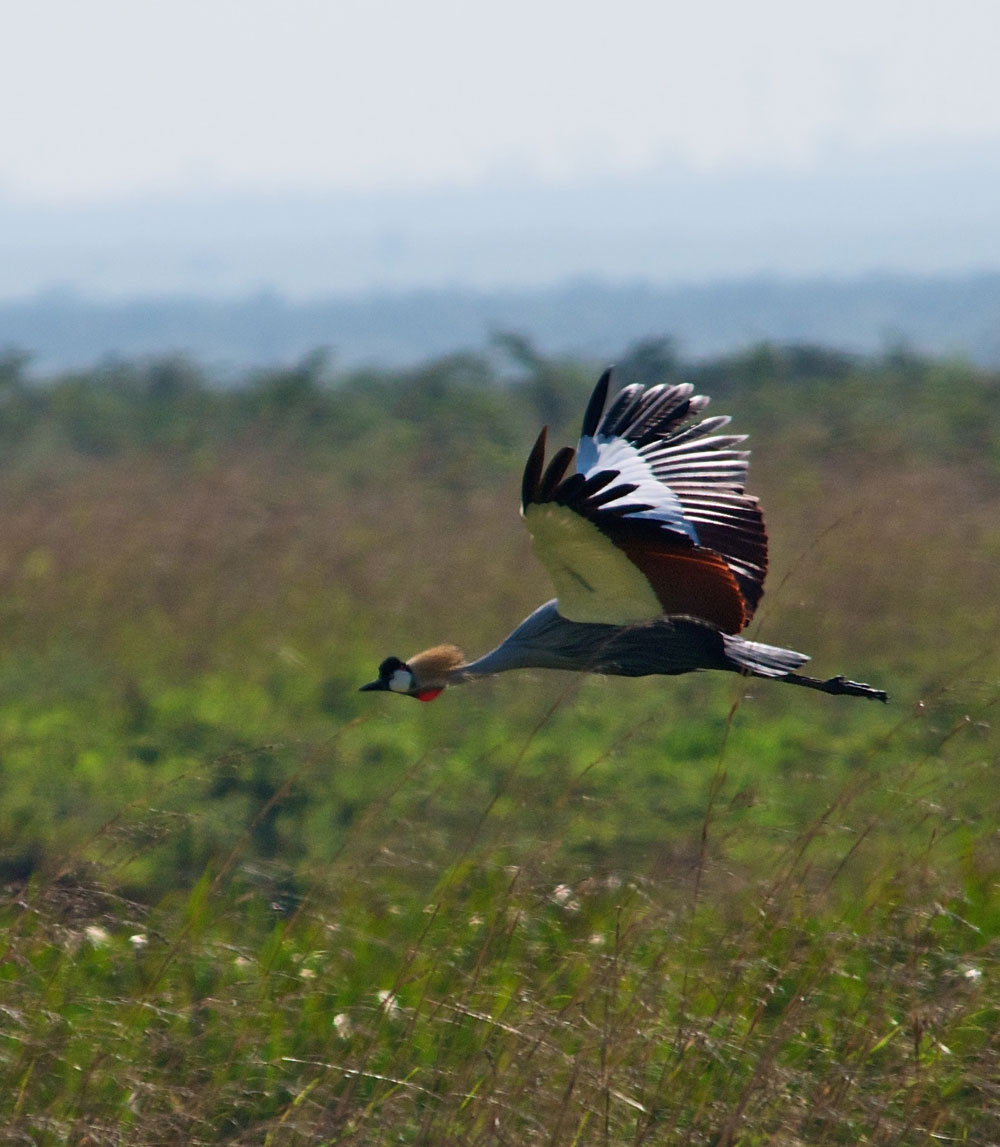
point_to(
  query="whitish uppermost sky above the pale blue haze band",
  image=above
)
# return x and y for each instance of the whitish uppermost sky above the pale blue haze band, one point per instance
(106, 99)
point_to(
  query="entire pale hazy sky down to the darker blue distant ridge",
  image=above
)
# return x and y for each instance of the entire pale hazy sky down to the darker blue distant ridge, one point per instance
(342, 150)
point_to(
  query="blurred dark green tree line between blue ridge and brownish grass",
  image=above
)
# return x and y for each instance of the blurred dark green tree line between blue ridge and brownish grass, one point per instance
(894, 402)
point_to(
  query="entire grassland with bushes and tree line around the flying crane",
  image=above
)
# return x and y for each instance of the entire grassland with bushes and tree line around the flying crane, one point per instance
(694, 910)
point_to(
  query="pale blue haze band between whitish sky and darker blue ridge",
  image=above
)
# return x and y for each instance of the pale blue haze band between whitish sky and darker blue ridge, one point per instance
(895, 213)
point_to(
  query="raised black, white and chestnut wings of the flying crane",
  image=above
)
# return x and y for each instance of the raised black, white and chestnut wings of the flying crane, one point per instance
(653, 519)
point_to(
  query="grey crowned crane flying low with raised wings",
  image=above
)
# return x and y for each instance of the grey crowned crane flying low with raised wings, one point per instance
(657, 553)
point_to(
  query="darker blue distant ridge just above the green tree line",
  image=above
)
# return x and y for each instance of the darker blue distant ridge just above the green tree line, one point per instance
(951, 318)
